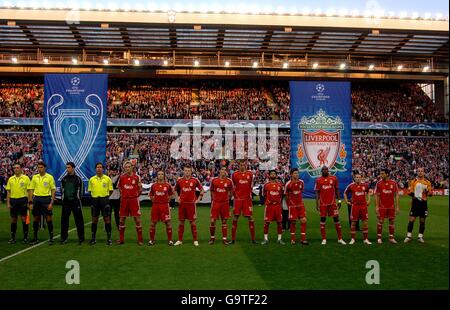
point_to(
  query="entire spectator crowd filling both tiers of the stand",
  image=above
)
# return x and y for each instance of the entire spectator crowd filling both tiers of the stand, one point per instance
(244, 100)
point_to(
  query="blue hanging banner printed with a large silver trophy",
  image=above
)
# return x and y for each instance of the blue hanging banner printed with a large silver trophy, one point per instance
(74, 123)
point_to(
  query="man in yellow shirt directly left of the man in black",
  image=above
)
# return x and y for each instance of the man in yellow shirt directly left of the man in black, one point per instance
(41, 195)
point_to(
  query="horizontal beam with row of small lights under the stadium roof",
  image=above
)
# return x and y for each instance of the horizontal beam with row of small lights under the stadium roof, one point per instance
(261, 62)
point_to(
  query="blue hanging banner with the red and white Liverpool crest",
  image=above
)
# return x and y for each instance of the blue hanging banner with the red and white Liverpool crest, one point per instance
(321, 133)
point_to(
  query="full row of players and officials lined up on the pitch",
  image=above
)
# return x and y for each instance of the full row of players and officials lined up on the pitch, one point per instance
(38, 196)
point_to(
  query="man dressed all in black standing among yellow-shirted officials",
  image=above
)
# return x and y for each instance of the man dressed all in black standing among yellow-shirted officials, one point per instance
(72, 192)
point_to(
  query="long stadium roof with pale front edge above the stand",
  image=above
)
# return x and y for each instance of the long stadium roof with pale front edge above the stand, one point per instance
(237, 40)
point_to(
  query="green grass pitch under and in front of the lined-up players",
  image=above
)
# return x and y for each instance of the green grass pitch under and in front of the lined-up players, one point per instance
(242, 266)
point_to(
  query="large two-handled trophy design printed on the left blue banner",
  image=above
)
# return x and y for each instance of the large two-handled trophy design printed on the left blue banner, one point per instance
(74, 131)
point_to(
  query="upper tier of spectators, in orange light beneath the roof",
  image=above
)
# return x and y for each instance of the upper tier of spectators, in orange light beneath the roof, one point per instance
(231, 100)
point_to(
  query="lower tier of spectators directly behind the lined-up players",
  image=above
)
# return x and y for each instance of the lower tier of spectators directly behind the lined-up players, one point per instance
(402, 155)
